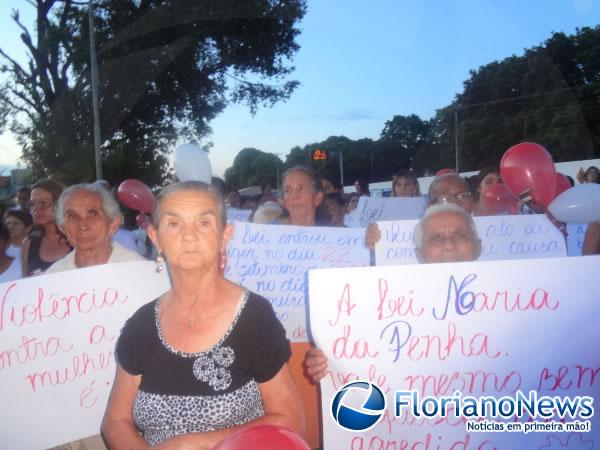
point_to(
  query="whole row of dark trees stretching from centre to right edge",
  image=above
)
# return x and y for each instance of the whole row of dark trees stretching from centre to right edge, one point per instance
(550, 95)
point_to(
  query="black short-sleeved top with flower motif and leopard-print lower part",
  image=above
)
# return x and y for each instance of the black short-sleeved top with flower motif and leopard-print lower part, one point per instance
(184, 392)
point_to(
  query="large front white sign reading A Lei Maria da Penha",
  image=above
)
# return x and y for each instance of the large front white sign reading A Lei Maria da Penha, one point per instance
(482, 328)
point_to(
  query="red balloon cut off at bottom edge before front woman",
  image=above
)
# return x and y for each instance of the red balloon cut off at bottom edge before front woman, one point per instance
(263, 437)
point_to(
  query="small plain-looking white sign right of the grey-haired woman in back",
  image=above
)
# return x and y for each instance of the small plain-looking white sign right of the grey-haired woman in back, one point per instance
(374, 209)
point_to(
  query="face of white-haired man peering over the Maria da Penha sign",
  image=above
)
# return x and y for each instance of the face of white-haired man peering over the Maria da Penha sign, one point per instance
(447, 237)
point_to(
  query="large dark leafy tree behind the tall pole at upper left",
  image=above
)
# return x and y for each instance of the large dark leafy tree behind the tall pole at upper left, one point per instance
(167, 67)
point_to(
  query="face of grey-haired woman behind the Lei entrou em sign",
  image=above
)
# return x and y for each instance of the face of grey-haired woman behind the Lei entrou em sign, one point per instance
(299, 198)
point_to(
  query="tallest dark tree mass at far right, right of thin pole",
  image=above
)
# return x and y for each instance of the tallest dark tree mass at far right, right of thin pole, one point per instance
(549, 95)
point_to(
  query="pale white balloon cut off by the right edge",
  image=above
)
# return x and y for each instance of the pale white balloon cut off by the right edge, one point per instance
(580, 204)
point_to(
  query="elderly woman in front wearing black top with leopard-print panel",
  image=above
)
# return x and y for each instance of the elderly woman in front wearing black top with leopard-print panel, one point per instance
(208, 358)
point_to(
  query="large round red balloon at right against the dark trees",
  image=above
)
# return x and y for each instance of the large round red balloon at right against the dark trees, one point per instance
(529, 166)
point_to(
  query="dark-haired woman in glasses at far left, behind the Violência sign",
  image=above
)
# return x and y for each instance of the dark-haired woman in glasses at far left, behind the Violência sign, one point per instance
(48, 244)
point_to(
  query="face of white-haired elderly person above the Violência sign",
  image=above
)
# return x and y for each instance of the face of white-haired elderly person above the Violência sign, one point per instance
(86, 224)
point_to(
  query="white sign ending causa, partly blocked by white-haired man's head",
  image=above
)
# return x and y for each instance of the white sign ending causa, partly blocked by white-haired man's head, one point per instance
(502, 237)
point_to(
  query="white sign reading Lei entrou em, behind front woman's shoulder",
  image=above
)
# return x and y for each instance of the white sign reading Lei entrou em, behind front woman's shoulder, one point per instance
(272, 260)
